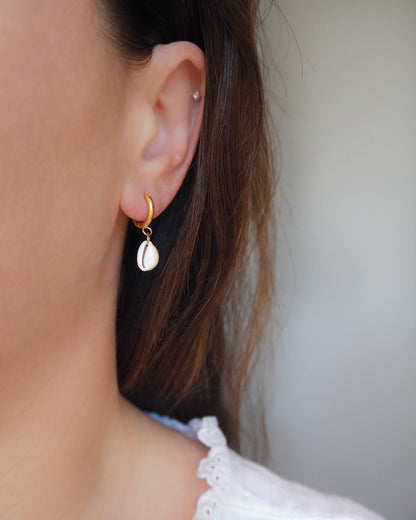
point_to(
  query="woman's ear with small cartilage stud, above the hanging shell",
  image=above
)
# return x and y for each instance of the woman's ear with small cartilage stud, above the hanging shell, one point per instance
(164, 108)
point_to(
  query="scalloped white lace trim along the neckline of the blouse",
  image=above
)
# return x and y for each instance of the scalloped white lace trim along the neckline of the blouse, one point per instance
(215, 468)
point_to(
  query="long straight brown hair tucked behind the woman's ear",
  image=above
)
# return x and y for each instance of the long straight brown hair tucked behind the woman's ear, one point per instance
(188, 332)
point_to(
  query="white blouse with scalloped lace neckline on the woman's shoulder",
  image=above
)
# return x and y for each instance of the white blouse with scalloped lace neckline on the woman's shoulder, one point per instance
(244, 490)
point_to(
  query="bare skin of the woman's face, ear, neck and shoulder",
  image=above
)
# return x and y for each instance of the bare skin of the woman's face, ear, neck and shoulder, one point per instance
(82, 138)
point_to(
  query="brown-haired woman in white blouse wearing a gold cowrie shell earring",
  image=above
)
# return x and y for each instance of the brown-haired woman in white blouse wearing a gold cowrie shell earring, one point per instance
(103, 104)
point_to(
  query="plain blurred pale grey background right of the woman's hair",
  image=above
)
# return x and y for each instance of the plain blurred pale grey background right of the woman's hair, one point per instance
(341, 403)
